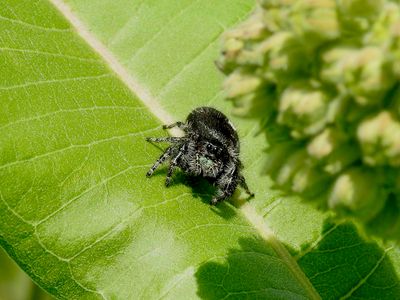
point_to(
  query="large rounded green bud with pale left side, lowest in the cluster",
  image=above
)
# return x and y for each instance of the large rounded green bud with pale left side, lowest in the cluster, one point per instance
(358, 192)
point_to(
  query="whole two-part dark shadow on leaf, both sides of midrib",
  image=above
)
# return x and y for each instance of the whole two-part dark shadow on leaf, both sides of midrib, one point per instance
(341, 264)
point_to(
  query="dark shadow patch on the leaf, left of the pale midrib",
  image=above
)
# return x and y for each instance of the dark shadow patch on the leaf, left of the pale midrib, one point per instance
(252, 272)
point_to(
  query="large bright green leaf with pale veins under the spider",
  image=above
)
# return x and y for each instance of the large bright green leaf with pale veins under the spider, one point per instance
(80, 90)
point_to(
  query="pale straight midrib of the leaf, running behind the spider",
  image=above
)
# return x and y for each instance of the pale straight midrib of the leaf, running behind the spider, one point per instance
(150, 102)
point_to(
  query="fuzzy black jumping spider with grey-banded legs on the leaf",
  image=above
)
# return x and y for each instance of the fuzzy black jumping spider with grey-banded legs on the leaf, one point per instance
(210, 148)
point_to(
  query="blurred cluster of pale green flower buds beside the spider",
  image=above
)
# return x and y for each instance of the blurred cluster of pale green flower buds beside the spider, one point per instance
(323, 76)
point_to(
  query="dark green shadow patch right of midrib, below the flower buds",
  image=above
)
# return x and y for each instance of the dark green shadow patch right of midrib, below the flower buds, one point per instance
(345, 264)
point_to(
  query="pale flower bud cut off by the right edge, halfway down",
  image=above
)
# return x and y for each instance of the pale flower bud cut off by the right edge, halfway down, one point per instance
(379, 137)
